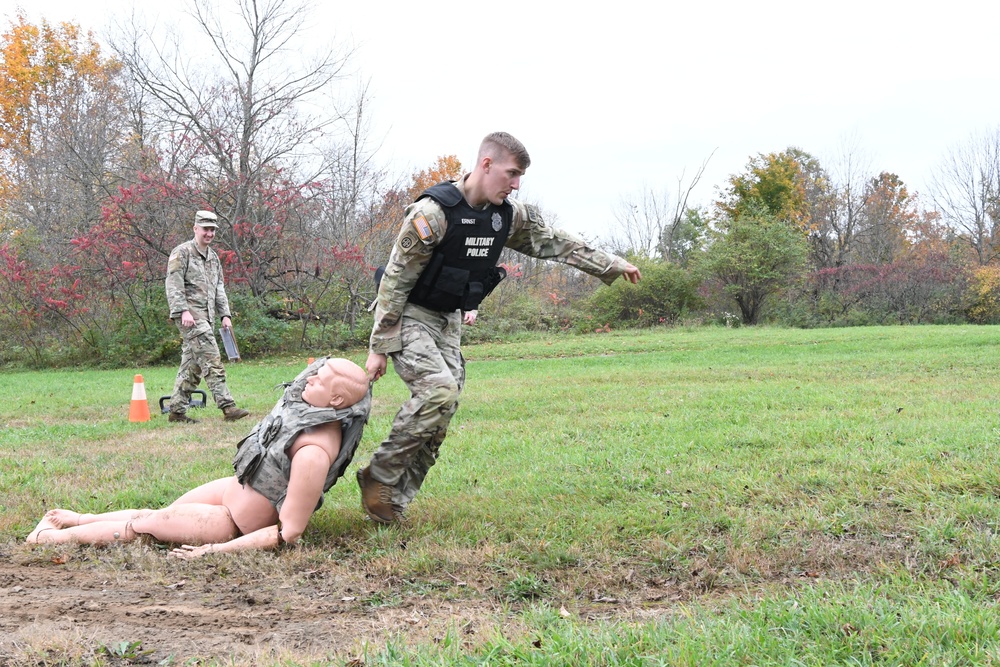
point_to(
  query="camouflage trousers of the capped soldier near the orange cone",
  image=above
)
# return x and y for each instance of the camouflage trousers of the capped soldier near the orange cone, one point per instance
(199, 359)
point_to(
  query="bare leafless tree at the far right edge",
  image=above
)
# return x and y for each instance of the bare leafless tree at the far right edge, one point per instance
(966, 191)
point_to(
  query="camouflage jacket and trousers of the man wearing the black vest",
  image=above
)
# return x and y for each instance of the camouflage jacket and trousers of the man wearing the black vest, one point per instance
(424, 345)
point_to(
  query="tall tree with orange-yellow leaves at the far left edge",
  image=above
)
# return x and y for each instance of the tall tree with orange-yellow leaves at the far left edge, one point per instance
(61, 140)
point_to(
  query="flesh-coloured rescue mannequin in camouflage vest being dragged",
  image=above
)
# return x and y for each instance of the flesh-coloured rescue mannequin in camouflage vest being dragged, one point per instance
(293, 456)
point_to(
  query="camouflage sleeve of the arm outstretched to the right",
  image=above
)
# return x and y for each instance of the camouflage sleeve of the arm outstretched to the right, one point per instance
(531, 235)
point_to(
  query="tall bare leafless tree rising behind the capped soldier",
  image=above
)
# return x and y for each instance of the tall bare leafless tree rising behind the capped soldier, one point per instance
(241, 113)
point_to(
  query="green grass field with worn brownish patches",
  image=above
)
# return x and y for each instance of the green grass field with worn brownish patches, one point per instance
(780, 497)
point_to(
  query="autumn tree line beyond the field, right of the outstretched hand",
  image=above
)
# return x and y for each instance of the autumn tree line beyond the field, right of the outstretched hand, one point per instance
(794, 242)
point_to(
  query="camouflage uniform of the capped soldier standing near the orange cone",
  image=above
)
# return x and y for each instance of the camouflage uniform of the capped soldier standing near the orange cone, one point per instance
(194, 282)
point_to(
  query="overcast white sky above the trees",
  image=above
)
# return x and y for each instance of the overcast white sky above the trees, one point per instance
(611, 98)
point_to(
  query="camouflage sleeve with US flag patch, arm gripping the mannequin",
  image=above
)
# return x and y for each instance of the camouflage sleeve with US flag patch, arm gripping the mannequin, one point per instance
(423, 228)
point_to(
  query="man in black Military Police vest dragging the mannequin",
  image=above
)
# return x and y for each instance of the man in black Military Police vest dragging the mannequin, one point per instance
(443, 264)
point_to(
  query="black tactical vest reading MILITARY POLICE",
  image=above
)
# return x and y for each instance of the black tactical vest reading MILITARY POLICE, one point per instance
(463, 268)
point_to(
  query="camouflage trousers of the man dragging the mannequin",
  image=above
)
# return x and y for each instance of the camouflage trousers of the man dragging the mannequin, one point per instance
(432, 366)
